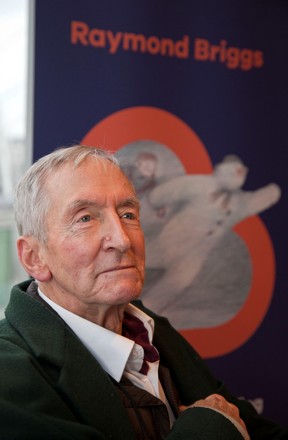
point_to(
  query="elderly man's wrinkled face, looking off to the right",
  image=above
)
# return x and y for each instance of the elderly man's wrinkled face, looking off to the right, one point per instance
(95, 247)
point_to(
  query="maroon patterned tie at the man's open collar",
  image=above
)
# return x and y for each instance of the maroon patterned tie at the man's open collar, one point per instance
(134, 329)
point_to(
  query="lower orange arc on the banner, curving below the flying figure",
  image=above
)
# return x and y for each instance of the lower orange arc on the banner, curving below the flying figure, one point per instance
(222, 339)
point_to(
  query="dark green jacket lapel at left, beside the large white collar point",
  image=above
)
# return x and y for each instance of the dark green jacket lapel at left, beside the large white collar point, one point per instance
(78, 376)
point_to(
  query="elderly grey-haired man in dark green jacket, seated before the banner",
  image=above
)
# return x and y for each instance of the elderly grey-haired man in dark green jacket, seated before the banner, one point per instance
(79, 357)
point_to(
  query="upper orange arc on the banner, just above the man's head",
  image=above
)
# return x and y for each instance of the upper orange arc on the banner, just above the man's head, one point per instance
(149, 123)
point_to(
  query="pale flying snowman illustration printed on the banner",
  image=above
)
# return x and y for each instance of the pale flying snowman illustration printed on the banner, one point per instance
(197, 211)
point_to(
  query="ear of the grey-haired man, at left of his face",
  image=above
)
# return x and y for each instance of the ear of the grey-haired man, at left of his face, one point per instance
(29, 253)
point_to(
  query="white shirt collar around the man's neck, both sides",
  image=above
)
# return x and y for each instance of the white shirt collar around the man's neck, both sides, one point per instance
(108, 348)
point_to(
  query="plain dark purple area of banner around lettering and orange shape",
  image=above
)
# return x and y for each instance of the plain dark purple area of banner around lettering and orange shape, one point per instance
(243, 112)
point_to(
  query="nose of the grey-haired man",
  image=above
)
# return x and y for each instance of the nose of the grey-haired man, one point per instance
(115, 235)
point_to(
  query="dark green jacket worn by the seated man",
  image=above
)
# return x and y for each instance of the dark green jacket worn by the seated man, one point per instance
(51, 387)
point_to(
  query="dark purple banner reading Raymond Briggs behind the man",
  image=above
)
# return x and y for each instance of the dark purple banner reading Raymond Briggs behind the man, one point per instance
(192, 96)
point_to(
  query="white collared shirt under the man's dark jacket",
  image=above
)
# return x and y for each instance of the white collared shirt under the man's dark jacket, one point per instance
(116, 354)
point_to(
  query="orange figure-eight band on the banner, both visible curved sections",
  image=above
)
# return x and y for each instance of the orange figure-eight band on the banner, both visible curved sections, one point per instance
(149, 123)
